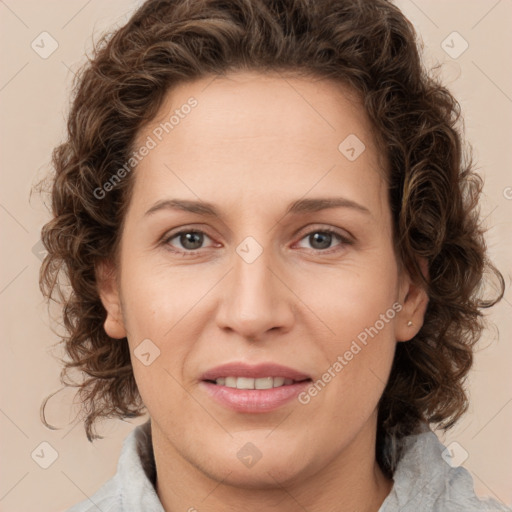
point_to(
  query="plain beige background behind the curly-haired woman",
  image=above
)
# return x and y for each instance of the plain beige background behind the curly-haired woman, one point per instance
(34, 96)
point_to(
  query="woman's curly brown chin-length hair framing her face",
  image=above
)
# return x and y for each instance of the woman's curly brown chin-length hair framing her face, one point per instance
(433, 189)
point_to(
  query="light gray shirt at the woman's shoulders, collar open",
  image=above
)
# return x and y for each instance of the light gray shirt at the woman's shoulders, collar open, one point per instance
(423, 481)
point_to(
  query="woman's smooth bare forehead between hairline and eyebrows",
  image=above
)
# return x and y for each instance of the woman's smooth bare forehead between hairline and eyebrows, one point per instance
(259, 136)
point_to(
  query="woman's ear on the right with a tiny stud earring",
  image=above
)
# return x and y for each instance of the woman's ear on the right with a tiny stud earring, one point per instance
(414, 300)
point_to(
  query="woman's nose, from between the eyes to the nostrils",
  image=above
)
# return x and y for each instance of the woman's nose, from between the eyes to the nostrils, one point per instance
(256, 299)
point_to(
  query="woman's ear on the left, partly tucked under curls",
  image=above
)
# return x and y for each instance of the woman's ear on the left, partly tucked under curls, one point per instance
(110, 297)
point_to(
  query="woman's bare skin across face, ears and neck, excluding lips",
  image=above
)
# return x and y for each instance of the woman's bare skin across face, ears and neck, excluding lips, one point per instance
(253, 145)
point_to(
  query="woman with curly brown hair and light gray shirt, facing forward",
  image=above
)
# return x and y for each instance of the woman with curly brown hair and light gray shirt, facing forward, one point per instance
(270, 231)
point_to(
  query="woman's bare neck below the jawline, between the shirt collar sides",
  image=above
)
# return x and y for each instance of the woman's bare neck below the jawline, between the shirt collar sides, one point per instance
(350, 481)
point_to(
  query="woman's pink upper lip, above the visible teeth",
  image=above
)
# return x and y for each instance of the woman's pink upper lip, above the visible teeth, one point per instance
(240, 369)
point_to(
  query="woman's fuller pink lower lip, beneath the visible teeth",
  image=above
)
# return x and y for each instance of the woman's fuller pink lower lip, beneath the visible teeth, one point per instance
(254, 400)
